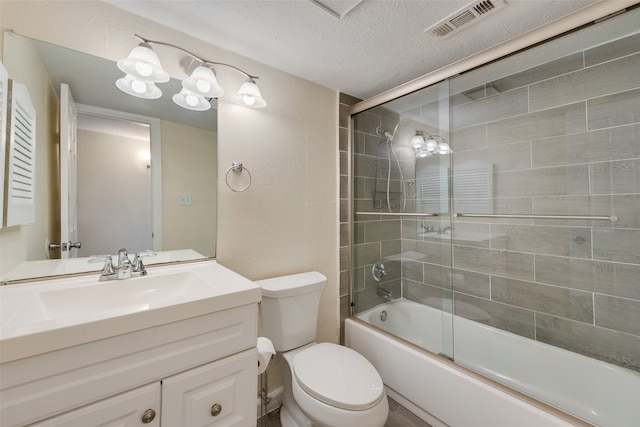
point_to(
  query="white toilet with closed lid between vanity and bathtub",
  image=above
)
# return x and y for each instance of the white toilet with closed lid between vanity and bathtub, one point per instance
(325, 385)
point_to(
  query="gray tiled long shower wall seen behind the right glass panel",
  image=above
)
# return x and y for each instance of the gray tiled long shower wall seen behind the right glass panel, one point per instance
(562, 138)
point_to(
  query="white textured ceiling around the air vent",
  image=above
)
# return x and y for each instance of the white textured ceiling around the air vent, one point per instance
(377, 45)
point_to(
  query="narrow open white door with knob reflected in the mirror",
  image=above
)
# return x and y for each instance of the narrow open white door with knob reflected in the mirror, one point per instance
(69, 243)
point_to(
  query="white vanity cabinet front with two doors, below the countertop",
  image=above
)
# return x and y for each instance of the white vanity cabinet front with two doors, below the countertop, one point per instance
(194, 372)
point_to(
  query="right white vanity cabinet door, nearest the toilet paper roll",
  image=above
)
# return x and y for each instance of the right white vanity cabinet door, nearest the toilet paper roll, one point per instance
(221, 393)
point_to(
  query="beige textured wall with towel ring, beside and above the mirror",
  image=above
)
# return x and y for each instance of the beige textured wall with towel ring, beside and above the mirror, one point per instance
(286, 222)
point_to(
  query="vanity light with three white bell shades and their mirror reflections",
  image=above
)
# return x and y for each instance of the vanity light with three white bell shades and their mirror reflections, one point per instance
(143, 70)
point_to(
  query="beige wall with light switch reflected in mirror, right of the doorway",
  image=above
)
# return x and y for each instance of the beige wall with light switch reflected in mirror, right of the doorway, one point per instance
(189, 163)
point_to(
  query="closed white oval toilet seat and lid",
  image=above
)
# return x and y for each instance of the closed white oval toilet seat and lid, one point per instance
(338, 376)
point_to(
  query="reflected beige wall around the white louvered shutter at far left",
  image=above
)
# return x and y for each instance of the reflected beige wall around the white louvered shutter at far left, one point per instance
(27, 242)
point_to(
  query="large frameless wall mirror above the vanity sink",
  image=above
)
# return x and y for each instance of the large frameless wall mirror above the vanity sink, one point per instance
(182, 167)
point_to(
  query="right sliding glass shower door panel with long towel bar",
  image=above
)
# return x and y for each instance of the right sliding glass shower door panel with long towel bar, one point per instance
(546, 204)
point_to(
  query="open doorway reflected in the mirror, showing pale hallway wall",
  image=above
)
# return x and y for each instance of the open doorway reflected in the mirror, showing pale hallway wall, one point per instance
(114, 185)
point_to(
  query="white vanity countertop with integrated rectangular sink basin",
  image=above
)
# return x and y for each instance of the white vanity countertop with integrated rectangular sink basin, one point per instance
(43, 316)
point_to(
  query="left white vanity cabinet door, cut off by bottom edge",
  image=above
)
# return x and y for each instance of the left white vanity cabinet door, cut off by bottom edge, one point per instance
(137, 407)
